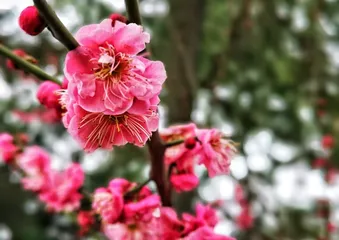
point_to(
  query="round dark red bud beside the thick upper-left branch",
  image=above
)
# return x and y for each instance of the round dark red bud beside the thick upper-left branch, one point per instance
(31, 22)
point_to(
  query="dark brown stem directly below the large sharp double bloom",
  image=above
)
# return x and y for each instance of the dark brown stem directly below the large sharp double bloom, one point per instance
(158, 174)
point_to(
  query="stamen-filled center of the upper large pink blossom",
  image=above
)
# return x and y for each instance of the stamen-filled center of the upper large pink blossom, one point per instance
(110, 64)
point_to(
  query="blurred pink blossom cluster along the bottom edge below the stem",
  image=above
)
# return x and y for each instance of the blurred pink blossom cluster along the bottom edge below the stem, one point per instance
(129, 215)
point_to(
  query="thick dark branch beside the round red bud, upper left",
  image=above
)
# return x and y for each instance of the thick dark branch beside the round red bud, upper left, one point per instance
(57, 28)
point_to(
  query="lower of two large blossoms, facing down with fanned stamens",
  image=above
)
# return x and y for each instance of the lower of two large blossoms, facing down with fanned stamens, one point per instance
(99, 130)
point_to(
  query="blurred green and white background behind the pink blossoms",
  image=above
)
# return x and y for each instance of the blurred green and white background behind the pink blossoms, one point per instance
(256, 69)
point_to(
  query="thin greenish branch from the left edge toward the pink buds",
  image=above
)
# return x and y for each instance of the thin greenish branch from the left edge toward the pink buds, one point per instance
(27, 66)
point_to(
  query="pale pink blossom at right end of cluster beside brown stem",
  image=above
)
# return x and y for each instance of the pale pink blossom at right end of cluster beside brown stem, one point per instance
(216, 152)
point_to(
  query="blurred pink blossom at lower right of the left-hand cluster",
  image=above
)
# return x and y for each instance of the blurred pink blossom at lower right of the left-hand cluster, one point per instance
(61, 192)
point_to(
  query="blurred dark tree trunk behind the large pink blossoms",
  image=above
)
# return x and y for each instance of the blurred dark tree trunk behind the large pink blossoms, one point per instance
(179, 50)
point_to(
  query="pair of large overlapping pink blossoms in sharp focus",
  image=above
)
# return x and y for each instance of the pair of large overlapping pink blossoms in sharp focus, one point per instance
(112, 95)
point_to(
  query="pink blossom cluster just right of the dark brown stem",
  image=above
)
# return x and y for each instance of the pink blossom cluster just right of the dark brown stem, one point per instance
(195, 146)
